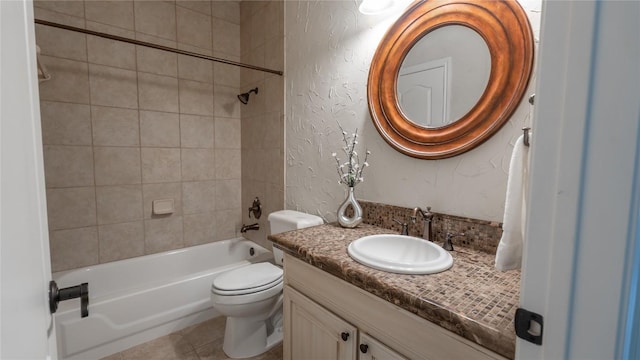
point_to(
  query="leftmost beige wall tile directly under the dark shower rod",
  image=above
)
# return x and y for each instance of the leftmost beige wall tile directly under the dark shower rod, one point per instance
(61, 43)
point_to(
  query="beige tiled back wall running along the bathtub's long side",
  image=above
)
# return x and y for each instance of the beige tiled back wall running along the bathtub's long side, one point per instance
(124, 125)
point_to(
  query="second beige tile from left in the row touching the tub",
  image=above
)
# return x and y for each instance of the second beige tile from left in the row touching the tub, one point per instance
(121, 241)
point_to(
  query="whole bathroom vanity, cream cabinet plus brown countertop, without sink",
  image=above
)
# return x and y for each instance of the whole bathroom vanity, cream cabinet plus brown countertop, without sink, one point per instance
(336, 308)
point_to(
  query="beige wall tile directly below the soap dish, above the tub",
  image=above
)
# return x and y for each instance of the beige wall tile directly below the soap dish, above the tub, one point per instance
(163, 234)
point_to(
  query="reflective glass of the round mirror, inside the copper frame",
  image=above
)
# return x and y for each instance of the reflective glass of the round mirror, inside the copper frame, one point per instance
(443, 76)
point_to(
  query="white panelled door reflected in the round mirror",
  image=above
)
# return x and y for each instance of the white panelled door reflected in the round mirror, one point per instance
(424, 92)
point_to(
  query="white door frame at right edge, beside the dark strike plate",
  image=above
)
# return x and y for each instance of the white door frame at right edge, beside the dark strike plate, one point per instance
(584, 179)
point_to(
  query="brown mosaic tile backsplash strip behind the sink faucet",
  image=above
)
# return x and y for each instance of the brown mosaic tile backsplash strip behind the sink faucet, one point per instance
(478, 234)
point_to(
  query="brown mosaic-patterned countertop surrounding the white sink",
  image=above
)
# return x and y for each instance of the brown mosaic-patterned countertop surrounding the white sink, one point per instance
(472, 299)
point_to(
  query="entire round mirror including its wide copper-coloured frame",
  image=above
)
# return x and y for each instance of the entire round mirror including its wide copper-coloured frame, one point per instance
(448, 74)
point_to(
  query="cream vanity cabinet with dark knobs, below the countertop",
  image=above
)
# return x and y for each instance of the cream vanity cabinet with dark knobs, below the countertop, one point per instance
(328, 318)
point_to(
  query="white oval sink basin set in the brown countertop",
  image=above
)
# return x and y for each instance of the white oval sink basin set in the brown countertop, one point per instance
(400, 254)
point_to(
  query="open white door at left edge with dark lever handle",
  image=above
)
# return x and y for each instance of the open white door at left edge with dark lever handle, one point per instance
(27, 330)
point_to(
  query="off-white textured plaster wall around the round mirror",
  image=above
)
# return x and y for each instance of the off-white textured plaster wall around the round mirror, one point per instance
(329, 45)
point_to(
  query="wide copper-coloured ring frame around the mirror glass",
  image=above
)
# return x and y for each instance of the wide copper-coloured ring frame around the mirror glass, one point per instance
(504, 27)
